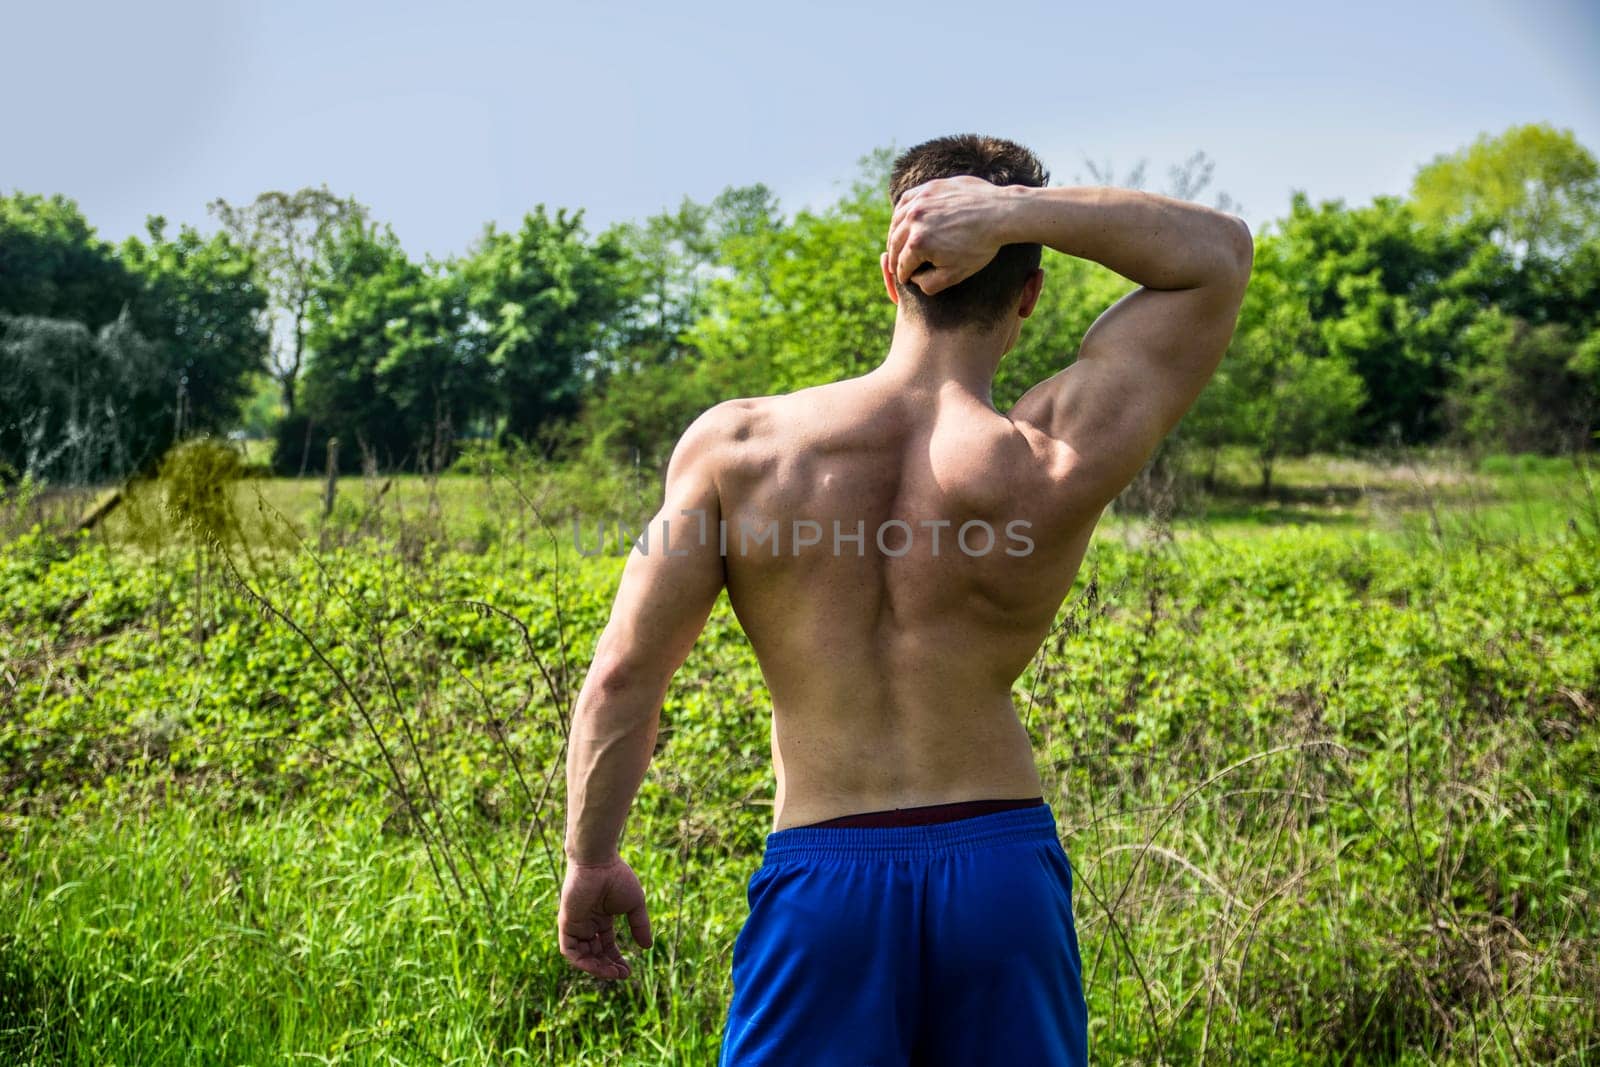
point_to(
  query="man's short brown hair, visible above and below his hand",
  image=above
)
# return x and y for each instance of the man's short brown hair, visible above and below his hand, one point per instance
(991, 294)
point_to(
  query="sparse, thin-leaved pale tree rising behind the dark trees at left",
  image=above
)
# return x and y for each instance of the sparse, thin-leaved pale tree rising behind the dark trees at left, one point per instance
(284, 233)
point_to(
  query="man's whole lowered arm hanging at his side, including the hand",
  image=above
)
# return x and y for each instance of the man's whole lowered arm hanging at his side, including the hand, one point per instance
(670, 586)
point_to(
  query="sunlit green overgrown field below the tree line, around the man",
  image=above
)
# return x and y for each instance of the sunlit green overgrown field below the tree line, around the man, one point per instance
(1326, 762)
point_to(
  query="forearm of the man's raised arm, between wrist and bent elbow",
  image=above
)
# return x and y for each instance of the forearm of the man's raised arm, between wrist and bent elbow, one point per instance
(1158, 242)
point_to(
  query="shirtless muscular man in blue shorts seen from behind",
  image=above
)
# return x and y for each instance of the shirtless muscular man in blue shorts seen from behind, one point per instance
(897, 551)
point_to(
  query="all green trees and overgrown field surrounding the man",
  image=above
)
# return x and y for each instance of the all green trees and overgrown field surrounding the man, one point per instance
(281, 757)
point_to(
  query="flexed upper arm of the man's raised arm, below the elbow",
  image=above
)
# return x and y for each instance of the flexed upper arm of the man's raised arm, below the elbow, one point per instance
(1140, 369)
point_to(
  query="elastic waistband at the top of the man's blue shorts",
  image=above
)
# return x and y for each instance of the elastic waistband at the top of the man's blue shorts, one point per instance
(911, 842)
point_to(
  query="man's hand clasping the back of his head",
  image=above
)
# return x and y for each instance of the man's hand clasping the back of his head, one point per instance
(948, 230)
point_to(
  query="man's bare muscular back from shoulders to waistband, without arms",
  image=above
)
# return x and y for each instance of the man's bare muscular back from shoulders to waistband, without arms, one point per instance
(945, 541)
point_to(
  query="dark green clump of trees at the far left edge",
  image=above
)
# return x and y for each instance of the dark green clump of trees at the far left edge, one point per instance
(106, 359)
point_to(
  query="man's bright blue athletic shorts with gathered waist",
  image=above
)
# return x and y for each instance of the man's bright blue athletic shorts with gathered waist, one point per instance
(930, 945)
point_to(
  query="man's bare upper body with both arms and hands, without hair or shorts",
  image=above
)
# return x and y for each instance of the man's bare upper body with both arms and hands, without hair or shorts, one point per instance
(895, 546)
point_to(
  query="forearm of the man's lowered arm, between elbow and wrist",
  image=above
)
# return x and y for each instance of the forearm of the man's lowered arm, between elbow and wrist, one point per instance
(607, 754)
